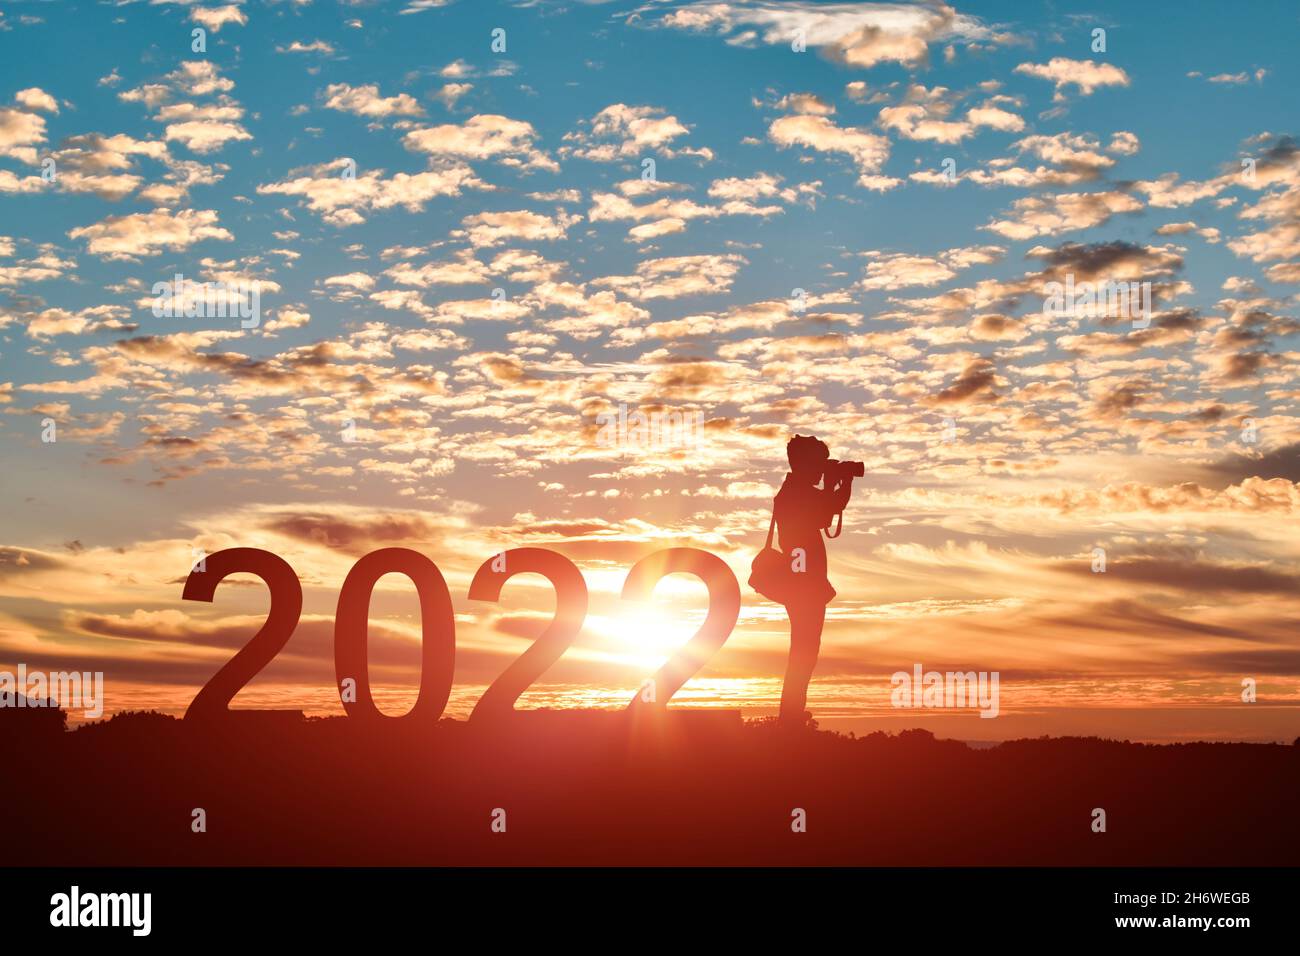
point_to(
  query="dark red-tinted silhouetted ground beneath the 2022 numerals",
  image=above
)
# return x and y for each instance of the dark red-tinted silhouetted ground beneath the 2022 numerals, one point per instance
(682, 790)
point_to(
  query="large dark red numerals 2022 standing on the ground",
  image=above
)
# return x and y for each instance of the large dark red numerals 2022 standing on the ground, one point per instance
(439, 634)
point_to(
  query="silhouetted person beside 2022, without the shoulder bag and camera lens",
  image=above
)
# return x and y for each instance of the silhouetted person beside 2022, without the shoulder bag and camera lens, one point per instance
(803, 511)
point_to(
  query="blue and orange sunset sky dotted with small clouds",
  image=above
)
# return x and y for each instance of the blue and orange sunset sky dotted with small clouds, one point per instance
(500, 271)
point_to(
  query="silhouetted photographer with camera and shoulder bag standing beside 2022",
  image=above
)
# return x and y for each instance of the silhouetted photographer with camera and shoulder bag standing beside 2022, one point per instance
(813, 498)
